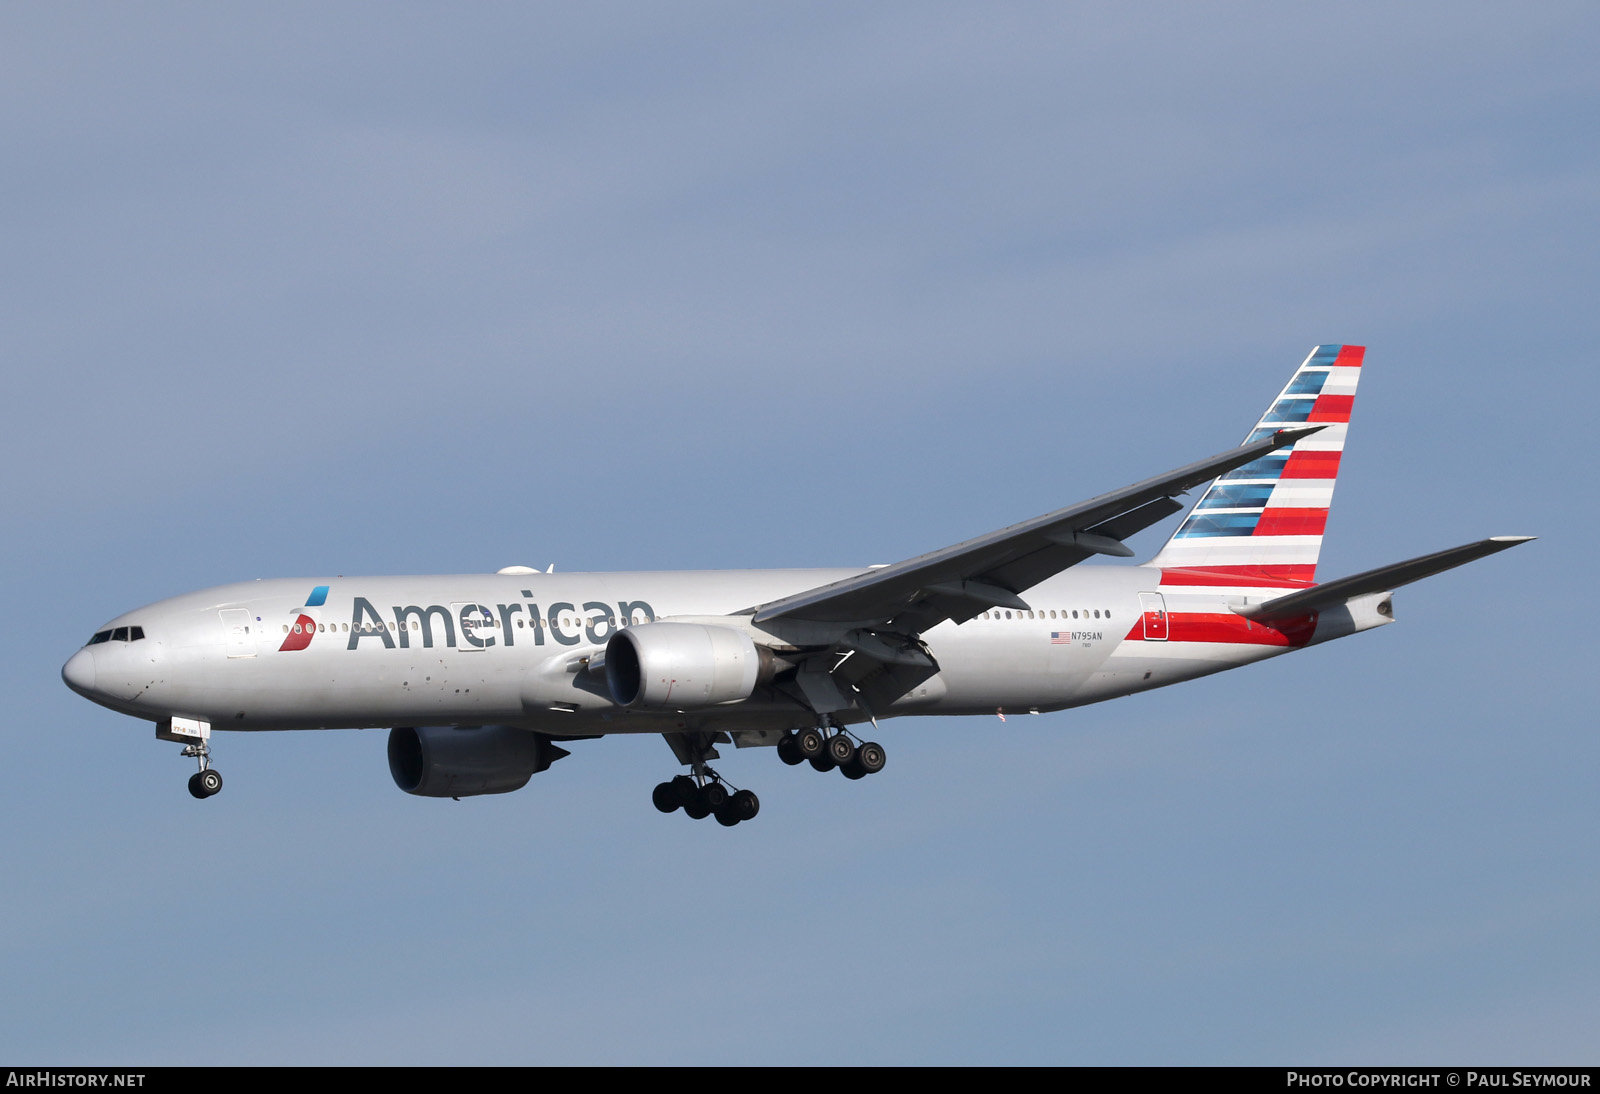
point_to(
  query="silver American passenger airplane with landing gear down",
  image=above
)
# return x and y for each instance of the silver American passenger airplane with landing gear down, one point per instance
(482, 679)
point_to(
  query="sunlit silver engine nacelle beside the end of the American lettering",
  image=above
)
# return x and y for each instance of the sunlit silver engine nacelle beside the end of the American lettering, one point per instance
(671, 666)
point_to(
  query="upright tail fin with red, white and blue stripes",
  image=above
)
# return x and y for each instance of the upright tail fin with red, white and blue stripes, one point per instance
(1263, 524)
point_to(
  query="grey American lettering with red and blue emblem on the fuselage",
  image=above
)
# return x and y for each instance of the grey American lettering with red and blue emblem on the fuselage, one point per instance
(470, 626)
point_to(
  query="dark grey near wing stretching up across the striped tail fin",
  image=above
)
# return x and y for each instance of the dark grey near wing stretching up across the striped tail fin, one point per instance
(951, 585)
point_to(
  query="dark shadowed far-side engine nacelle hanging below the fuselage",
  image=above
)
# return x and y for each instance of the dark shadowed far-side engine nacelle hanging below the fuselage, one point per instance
(449, 762)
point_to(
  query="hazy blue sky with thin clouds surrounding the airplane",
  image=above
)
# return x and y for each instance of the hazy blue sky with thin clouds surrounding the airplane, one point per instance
(406, 289)
